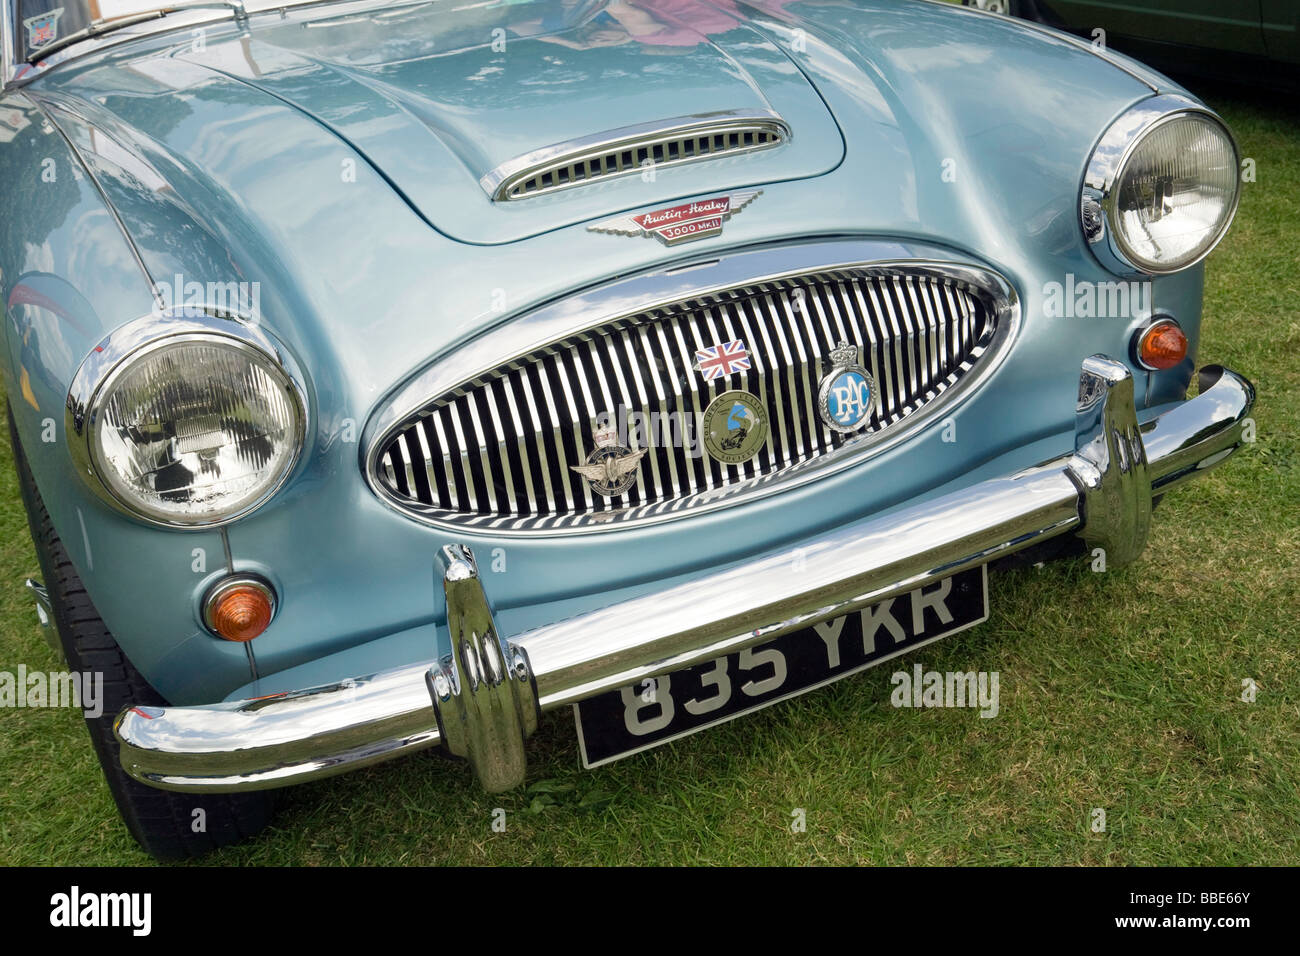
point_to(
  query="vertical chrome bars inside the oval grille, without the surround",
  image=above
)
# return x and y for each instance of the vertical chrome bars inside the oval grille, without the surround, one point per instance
(499, 451)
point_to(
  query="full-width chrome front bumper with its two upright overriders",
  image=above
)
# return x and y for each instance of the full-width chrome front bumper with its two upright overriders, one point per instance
(483, 699)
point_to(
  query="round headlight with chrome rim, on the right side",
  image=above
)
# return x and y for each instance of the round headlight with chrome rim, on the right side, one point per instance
(1162, 188)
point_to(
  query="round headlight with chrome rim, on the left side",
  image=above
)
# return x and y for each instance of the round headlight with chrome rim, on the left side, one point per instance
(196, 426)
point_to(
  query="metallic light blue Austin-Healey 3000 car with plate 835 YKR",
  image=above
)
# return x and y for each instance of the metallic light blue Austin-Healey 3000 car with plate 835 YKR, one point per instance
(385, 375)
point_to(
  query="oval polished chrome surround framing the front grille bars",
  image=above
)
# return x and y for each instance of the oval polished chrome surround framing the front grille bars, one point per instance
(560, 321)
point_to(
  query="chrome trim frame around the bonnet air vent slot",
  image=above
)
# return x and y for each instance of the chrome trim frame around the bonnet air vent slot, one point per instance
(501, 183)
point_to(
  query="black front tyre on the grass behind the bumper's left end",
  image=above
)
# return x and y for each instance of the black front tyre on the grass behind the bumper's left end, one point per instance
(170, 827)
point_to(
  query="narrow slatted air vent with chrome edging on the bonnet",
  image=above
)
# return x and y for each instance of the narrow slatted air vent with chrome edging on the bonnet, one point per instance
(632, 150)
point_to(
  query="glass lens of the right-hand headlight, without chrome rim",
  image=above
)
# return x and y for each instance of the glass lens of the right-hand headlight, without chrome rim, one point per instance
(1176, 194)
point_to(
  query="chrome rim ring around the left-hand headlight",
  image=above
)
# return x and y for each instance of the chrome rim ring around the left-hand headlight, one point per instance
(122, 349)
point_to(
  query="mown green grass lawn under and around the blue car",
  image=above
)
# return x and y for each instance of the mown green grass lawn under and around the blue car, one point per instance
(1120, 691)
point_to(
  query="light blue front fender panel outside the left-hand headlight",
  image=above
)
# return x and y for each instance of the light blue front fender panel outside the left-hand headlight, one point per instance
(70, 276)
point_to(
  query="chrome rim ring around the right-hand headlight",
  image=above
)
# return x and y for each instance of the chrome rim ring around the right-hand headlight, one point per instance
(1099, 193)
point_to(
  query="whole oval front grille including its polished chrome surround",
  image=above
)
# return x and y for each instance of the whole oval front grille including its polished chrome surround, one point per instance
(539, 349)
